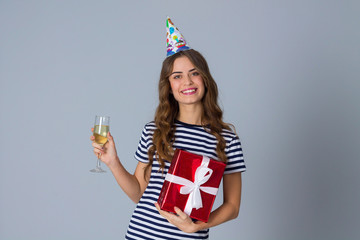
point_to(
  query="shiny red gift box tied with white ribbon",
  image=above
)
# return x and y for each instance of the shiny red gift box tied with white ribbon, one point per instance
(191, 184)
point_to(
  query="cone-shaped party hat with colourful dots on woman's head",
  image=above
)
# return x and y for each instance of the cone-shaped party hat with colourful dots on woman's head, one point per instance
(175, 41)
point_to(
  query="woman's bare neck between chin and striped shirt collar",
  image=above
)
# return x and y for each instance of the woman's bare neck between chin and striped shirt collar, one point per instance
(191, 114)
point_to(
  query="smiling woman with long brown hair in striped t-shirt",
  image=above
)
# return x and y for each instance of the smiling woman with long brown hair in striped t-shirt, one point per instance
(188, 117)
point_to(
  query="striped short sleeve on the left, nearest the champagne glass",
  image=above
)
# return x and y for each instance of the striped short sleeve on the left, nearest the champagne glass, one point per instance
(145, 143)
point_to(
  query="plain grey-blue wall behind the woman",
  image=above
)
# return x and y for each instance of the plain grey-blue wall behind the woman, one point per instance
(288, 73)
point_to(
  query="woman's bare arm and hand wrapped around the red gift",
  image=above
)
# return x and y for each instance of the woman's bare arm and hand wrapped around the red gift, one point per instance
(227, 211)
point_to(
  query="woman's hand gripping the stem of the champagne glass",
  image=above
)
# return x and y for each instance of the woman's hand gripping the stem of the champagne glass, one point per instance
(107, 153)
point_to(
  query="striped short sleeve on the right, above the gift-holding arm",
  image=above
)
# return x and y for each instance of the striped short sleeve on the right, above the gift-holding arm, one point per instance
(235, 157)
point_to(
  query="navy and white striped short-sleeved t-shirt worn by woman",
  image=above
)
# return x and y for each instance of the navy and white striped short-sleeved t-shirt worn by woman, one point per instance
(146, 222)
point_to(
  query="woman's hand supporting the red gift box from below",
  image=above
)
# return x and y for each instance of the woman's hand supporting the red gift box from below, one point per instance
(181, 220)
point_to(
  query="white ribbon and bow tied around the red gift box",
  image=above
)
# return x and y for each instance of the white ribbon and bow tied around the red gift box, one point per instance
(202, 175)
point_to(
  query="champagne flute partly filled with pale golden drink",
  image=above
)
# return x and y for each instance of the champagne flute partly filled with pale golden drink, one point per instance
(101, 129)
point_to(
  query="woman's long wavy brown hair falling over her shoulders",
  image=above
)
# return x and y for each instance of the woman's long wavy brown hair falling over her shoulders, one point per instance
(168, 110)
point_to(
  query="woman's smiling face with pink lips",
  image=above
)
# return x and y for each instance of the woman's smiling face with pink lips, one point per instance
(186, 82)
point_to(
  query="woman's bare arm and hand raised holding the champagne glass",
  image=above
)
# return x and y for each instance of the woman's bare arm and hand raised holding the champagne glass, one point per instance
(132, 184)
